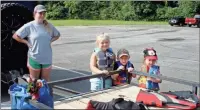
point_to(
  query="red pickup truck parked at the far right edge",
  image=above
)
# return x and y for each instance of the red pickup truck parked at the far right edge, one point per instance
(193, 21)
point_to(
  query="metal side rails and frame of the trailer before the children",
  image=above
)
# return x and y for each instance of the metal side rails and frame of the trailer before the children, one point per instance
(195, 86)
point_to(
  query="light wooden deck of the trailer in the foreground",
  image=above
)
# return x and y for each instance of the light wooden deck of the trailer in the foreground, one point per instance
(128, 92)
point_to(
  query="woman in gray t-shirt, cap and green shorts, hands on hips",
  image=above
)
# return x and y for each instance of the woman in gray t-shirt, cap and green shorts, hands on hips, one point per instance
(40, 34)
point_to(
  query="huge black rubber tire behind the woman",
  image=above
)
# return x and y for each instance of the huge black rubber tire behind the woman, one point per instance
(14, 54)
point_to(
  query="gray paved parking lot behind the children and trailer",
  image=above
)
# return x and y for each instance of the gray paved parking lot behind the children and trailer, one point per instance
(177, 49)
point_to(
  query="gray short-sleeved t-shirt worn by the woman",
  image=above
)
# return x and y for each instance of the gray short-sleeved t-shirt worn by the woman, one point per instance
(40, 39)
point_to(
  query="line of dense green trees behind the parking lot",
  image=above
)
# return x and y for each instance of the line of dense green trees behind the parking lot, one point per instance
(121, 10)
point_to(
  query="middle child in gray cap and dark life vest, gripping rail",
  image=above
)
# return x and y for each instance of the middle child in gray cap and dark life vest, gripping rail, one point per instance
(123, 63)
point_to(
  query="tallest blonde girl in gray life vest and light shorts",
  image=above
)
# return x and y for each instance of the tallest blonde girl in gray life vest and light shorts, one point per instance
(102, 61)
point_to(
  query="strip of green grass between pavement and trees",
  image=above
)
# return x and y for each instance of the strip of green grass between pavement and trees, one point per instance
(102, 22)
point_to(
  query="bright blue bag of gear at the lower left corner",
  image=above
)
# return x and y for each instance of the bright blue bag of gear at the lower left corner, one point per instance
(19, 96)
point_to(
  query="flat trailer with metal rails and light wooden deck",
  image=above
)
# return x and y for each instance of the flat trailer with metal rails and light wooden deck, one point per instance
(80, 100)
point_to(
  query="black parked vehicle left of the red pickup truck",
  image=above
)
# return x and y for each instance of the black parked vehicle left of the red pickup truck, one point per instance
(179, 20)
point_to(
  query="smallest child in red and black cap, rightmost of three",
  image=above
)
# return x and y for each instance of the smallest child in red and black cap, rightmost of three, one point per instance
(150, 59)
